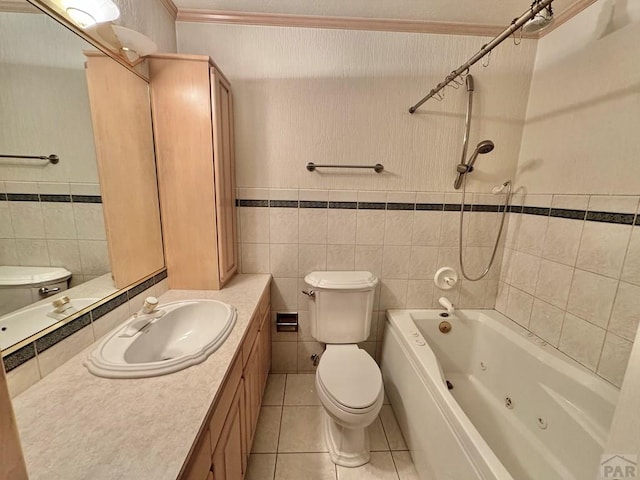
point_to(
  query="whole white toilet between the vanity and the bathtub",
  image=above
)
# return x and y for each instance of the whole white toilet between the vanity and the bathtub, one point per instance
(348, 380)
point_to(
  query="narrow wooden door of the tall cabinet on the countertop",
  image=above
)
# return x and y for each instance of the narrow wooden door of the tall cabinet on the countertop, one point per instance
(224, 175)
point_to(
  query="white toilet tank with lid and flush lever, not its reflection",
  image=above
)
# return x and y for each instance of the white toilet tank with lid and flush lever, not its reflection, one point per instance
(341, 305)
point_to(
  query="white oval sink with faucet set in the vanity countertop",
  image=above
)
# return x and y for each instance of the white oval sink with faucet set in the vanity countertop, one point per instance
(173, 337)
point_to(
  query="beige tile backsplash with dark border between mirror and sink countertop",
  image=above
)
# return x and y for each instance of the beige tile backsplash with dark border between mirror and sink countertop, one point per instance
(34, 361)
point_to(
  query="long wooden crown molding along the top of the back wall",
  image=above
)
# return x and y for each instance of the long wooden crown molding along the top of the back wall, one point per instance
(343, 23)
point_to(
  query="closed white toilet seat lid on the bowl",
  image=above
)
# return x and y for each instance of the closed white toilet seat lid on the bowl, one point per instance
(350, 378)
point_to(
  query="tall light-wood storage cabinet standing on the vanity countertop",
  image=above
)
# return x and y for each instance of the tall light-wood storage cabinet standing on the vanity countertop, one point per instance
(193, 123)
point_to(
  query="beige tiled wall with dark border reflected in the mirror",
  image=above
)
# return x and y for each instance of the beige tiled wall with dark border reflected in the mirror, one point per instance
(54, 224)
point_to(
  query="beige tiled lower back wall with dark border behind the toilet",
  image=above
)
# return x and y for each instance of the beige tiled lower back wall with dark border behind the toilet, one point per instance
(402, 237)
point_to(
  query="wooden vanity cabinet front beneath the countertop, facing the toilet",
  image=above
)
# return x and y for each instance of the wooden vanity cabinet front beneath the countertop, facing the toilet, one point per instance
(224, 447)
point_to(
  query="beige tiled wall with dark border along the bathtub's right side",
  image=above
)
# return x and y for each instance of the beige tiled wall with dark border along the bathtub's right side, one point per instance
(571, 275)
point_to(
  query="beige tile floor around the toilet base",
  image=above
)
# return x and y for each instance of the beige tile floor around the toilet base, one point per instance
(289, 444)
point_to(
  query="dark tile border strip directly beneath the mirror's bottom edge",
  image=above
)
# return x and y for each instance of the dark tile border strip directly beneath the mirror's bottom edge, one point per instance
(26, 353)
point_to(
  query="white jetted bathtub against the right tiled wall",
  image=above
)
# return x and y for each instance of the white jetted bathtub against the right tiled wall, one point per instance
(519, 409)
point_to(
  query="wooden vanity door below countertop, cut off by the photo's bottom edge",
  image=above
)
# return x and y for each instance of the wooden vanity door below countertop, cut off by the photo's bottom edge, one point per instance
(228, 459)
